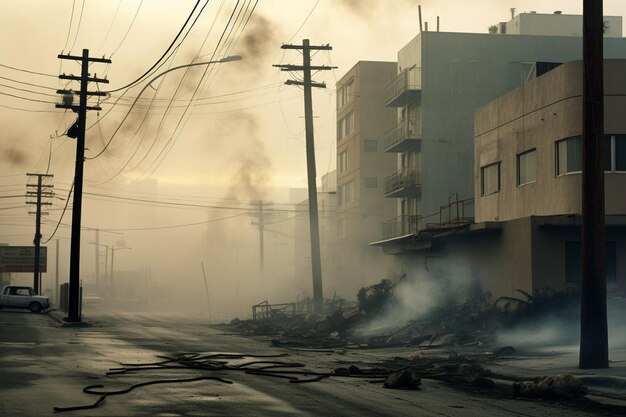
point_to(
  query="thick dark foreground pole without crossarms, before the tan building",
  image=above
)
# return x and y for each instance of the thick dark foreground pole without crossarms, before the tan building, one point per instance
(594, 350)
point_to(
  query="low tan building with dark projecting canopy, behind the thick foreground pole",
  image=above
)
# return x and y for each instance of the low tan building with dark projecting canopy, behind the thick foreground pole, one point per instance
(527, 182)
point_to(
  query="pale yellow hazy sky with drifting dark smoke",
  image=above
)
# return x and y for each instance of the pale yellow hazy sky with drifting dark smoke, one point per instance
(242, 140)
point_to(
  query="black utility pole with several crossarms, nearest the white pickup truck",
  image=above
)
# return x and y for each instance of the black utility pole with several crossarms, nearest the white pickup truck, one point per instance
(73, 314)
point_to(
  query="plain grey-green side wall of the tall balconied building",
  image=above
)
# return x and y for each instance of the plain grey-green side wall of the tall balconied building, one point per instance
(460, 73)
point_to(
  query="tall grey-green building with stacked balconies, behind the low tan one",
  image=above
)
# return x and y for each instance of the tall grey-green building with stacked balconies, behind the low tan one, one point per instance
(442, 78)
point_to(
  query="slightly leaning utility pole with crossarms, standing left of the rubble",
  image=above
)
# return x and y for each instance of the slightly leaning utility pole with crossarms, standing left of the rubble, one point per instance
(307, 84)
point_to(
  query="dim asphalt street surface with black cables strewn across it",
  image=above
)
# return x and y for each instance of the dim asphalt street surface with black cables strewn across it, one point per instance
(43, 365)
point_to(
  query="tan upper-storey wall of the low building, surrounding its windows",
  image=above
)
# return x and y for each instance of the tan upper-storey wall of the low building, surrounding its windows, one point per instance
(537, 115)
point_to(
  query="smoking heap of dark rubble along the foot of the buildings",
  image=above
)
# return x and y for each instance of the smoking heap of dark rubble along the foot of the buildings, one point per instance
(470, 322)
